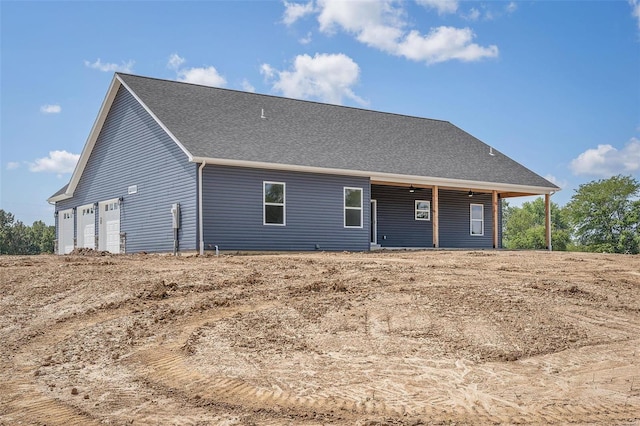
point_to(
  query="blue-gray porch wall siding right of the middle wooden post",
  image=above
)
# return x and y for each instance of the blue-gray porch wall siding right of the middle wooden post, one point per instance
(454, 220)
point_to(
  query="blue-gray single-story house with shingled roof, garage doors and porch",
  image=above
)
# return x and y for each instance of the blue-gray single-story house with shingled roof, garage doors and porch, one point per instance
(177, 166)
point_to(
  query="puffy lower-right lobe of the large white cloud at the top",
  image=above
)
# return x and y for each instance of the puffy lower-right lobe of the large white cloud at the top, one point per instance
(443, 44)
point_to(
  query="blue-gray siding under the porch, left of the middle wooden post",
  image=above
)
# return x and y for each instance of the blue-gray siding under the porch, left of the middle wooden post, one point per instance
(397, 226)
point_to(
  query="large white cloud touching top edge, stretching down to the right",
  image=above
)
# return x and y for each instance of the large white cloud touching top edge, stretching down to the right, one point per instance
(381, 24)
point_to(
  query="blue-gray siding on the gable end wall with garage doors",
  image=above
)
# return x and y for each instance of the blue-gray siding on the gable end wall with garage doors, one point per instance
(132, 149)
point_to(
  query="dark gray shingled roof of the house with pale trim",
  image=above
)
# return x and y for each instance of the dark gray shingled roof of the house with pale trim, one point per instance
(225, 126)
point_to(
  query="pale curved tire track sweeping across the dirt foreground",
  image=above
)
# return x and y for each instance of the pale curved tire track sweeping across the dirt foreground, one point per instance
(168, 367)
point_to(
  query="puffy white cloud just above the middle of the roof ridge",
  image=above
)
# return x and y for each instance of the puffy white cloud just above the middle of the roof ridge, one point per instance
(326, 77)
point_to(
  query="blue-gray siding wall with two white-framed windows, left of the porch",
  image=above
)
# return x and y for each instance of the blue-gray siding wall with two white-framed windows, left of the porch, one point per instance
(233, 211)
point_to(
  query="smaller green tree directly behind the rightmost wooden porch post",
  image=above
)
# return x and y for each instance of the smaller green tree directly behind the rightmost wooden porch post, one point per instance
(524, 227)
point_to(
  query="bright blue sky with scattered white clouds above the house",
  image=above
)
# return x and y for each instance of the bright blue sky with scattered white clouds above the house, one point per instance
(553, 84)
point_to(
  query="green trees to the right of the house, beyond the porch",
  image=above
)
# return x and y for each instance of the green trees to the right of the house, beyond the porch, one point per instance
(602, 216)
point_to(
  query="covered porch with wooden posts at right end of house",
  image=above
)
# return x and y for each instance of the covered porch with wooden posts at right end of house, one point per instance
(418, 215)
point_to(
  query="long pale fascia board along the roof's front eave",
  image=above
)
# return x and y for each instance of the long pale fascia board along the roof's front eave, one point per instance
(385, 177)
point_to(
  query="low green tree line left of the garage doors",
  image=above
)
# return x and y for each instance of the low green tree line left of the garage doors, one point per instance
(18, 238)
